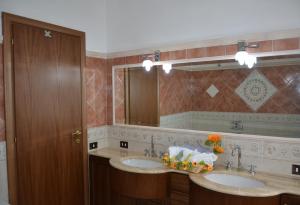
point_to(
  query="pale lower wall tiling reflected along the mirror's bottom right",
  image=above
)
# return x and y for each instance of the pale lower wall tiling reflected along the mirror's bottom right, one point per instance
(284, 125)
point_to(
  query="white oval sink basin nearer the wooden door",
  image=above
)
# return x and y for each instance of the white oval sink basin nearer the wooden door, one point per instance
(143, 163)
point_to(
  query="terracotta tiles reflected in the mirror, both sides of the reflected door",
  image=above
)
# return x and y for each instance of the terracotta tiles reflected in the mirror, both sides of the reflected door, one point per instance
(183, 91)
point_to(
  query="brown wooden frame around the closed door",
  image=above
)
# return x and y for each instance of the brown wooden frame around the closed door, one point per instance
(7, 21)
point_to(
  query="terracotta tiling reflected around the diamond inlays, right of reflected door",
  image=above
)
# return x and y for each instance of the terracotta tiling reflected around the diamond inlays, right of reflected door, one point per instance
(286, 79)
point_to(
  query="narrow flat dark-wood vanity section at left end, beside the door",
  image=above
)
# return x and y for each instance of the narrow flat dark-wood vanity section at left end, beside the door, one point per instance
(99, 181)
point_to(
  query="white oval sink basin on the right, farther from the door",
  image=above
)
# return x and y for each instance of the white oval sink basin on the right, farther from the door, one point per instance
(234, 181)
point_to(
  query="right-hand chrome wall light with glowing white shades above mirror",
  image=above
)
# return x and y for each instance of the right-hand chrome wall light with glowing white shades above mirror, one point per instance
(243, 57)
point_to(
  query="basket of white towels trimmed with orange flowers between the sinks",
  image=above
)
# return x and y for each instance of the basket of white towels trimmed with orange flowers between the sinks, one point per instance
(185, 159)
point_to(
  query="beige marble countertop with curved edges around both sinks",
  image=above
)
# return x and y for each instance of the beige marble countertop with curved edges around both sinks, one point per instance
(274, 184)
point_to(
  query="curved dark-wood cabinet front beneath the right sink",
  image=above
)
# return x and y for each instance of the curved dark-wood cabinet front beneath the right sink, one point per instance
(202, 196)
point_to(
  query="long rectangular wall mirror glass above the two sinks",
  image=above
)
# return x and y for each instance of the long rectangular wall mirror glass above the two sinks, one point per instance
(219, 96)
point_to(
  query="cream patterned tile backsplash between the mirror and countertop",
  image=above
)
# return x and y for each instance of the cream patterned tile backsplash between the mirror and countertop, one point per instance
(272, 155)
